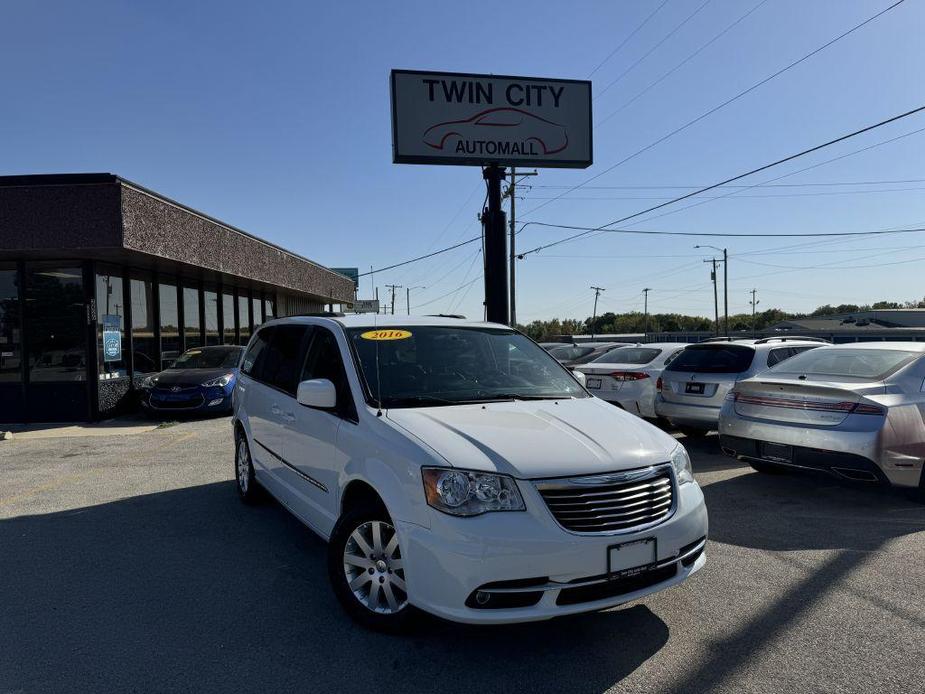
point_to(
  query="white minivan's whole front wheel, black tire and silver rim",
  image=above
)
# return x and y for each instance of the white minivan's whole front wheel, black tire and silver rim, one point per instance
(367, 572)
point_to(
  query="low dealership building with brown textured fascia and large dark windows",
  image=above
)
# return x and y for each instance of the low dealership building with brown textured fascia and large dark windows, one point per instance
(103, 282)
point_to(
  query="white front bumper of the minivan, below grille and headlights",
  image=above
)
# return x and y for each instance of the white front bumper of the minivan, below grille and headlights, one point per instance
(530, 555)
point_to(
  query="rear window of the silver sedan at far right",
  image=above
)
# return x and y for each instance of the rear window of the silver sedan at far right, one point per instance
(872, 364)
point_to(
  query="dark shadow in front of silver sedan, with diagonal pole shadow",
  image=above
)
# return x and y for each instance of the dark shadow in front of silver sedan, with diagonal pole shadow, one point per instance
(798, 512)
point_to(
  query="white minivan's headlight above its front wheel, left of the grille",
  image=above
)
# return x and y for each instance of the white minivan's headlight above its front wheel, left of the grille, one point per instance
(470, 493)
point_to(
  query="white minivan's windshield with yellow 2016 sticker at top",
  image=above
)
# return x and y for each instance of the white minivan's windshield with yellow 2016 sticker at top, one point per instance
(424, 366)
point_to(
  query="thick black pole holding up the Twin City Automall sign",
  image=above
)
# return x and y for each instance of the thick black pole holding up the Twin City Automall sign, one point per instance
(495, 233)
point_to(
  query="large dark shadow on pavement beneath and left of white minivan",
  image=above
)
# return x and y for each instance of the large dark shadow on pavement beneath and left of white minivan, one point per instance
(191, 590)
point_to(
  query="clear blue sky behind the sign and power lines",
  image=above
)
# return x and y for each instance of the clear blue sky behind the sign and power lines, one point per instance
(274, 117)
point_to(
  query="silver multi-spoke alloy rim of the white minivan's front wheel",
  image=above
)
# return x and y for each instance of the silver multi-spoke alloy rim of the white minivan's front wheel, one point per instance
(374, 568)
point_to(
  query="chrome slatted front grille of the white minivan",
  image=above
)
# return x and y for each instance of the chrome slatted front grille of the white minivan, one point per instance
(610, 503)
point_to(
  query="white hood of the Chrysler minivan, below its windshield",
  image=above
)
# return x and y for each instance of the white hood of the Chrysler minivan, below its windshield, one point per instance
(537, 439)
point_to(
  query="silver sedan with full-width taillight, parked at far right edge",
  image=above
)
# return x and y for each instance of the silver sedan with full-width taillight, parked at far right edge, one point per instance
(852, 411)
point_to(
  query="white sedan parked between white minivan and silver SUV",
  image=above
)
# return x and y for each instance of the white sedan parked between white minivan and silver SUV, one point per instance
(626, 376)
